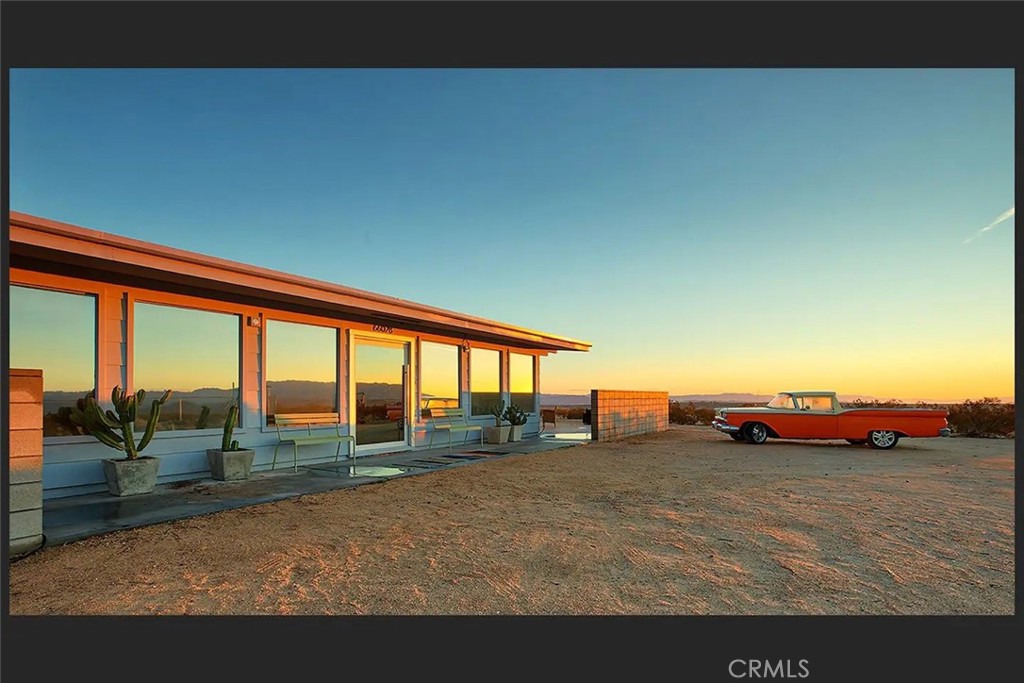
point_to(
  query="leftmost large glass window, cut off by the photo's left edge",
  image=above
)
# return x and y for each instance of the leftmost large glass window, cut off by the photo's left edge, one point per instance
(57, 333)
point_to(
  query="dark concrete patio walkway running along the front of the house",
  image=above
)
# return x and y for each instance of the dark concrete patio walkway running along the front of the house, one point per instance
(76, 518)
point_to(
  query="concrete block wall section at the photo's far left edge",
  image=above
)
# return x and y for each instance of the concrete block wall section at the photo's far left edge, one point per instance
(26, 463)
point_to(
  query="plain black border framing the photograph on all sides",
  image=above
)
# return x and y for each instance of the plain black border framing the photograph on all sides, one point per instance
(613, 34)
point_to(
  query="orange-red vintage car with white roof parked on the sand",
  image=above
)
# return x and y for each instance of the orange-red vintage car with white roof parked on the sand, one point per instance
(820, 415)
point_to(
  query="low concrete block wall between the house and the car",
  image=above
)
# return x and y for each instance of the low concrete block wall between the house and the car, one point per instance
(620, 414)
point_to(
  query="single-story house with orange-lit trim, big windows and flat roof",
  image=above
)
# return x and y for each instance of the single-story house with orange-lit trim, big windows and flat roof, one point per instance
(96, 311)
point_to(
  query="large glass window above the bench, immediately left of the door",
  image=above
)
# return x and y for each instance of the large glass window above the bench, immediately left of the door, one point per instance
(302, 369)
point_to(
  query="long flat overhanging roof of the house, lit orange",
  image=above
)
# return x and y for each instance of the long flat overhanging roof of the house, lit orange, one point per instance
(41, 244)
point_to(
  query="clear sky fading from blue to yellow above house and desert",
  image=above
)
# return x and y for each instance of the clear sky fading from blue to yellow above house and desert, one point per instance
(707, 231)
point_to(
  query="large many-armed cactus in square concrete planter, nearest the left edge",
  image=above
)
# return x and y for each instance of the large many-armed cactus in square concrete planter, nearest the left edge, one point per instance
(135, 474)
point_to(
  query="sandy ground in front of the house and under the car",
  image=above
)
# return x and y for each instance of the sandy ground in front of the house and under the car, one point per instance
(682, 523)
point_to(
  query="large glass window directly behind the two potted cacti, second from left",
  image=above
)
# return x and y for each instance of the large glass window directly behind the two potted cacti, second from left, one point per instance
(195, 354)
